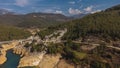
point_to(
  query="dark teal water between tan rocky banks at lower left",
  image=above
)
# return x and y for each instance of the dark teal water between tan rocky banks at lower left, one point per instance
(12, 60)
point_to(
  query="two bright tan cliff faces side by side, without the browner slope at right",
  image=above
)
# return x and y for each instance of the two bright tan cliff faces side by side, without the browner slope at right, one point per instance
(41, 60)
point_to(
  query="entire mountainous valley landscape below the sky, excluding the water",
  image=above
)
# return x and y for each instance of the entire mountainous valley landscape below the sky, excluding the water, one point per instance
(92, 41)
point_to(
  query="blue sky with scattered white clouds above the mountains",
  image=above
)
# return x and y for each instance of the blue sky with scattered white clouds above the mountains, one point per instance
(66, 7)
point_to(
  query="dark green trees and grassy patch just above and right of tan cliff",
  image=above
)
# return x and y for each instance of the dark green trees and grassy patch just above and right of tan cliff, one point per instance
(69, 50)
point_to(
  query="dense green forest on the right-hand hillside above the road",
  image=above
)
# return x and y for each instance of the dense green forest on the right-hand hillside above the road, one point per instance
(104, 24)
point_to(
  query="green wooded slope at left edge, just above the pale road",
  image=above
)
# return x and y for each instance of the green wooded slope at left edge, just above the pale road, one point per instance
(12, 33)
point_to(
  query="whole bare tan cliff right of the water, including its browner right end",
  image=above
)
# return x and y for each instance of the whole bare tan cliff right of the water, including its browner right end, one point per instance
(44, 61)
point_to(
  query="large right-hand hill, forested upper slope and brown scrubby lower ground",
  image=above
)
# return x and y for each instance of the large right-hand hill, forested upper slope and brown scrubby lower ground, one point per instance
(90, 42)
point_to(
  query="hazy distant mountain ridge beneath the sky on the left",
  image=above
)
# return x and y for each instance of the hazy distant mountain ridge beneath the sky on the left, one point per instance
(32, 19)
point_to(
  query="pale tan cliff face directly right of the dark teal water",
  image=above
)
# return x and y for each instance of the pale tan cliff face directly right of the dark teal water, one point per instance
(31, 59)
